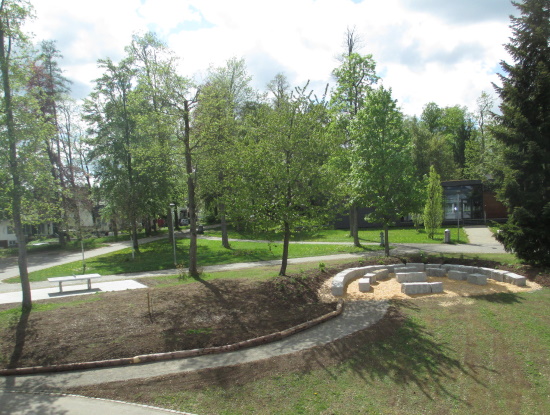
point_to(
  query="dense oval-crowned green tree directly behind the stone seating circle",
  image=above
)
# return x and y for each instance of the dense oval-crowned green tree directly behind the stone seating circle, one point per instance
(382, 167)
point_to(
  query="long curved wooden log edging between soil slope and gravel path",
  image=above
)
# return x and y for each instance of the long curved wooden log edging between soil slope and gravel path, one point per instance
(182, 354)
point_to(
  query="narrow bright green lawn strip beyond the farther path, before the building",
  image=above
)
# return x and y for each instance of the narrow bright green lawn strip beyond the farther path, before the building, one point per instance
(396, 235)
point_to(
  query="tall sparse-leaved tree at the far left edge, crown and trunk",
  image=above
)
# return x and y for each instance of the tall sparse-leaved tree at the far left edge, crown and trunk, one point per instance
(21, 129)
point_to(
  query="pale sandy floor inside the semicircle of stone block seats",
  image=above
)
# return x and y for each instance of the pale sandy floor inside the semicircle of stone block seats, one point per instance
(391, 289)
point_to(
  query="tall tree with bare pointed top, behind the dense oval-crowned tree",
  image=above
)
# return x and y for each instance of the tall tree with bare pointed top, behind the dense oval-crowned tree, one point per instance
(354, 79)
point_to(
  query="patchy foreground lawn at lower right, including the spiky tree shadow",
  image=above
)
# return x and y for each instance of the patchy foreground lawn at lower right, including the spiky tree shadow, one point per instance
(487, 355)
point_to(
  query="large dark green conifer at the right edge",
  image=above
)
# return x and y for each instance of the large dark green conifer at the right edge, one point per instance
(524, 129)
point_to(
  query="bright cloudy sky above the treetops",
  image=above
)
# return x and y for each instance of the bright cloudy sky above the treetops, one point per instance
(442, 51)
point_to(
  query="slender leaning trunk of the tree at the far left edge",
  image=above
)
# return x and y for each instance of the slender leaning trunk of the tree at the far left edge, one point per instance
(14, 172)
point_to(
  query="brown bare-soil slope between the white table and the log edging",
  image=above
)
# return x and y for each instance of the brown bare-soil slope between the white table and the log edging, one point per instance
(160, 319)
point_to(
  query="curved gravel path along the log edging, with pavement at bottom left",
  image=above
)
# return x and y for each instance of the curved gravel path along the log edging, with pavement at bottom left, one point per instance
(356, 316)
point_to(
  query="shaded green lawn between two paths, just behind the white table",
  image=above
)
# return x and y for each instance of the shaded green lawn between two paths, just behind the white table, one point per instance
(158, 255)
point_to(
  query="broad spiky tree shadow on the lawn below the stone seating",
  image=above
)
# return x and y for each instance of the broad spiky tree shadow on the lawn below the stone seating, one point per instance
(400, 349)
